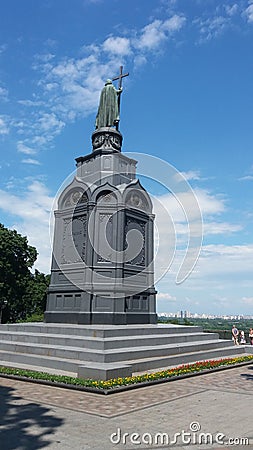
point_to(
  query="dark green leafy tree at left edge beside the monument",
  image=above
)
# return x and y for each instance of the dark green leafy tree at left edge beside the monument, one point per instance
(21, 292)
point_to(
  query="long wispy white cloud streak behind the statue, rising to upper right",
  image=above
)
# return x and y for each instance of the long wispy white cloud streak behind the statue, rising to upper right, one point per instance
(69, 88)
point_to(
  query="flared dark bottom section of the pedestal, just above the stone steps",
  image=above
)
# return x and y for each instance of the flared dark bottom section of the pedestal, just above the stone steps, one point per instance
(84, 308)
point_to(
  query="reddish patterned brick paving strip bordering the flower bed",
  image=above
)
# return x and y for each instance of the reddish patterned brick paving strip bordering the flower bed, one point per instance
(107, 406)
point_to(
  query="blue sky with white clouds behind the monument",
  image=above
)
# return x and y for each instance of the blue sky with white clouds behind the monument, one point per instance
(187, 101)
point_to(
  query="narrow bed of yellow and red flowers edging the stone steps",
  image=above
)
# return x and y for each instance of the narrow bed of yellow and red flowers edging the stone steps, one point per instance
(133, 381)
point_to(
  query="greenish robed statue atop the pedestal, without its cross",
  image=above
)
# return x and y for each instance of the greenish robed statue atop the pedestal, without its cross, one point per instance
(108, 110)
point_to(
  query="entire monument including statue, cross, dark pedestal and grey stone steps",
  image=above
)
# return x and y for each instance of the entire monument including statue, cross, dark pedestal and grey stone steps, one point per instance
(100, 319)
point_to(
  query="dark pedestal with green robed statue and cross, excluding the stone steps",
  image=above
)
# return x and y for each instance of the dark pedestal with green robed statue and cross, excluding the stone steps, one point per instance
(102, 263)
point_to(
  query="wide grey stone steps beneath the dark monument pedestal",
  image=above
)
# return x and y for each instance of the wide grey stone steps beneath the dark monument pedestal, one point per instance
(108, 351)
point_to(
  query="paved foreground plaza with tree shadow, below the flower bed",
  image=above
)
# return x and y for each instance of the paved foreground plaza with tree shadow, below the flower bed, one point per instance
(219, 405)
